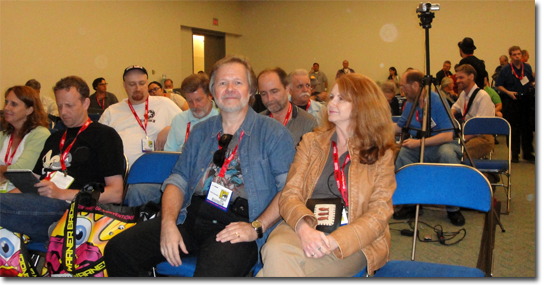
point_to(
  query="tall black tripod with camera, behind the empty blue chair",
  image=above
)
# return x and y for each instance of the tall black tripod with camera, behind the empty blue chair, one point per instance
(426, 17)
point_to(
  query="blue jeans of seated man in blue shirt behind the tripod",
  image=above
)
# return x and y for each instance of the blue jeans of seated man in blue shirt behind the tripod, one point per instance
(449, 153)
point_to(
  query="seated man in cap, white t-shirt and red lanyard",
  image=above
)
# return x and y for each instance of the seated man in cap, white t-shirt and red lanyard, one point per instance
(143, 122)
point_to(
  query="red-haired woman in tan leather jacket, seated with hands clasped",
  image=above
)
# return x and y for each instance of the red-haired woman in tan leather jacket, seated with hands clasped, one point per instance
(343, 169)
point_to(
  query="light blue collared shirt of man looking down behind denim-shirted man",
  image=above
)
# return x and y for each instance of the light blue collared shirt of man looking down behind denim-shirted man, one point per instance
(176, 136)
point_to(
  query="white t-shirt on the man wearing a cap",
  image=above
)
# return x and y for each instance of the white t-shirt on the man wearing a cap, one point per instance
(119, 116)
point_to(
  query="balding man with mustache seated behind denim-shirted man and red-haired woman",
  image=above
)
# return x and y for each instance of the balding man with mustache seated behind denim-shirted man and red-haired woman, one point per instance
(274, 89)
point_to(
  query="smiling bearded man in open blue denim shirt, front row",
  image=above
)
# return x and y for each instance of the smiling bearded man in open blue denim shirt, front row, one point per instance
(227, 228)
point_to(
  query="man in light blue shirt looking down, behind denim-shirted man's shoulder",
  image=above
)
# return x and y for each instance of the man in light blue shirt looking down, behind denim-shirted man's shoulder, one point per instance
(197, 92)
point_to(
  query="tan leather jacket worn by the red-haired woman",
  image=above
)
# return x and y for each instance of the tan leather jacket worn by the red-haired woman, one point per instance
(370, 190)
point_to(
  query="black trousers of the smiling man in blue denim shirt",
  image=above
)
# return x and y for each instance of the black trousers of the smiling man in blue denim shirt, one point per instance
(135, 251)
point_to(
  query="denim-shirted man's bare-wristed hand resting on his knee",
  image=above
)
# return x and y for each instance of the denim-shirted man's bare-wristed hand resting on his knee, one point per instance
(171, 242)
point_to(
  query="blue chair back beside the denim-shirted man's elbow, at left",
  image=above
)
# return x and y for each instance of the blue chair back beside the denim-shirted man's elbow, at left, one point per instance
(152, 167)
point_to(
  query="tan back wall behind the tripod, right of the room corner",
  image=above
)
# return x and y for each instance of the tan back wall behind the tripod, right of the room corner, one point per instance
(294, 34)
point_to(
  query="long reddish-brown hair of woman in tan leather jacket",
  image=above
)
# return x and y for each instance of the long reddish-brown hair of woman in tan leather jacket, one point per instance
(372, 132)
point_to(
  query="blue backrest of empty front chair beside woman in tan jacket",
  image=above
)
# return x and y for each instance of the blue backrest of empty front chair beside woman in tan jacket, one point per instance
(443, 184)
